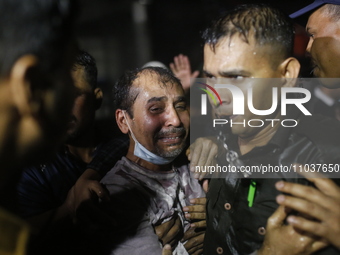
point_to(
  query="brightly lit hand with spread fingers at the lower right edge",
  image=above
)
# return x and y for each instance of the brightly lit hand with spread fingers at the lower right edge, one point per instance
(321, 204)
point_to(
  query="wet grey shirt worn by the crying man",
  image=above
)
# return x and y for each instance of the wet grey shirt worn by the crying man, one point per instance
(142, 198)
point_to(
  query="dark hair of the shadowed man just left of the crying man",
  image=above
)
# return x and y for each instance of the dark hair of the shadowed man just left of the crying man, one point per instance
(86, 61)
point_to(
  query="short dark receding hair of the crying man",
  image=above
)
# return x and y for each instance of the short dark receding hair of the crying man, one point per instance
(124, 97)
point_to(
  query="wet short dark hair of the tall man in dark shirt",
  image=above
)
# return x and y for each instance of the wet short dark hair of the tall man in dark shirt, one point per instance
(267, 25)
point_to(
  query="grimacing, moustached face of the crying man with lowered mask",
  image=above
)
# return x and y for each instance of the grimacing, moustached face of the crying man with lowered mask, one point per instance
(160, 116)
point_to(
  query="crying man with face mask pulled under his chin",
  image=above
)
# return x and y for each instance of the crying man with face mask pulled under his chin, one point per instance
(151, 184)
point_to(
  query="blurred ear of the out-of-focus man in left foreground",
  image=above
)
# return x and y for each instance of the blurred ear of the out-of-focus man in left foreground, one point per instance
(22, 87)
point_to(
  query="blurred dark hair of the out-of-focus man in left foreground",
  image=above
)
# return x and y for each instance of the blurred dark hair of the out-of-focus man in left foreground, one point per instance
(40, 27)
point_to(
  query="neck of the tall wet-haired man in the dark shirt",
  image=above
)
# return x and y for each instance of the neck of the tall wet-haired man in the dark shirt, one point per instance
(261, 138)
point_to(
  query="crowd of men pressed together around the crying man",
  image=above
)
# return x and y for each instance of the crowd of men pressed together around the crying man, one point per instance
(68, 189)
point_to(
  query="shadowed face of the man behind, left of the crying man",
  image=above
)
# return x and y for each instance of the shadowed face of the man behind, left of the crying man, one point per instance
(83, 111)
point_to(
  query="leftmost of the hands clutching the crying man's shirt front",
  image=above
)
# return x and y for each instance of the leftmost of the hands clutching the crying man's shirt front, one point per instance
(170, 232)
